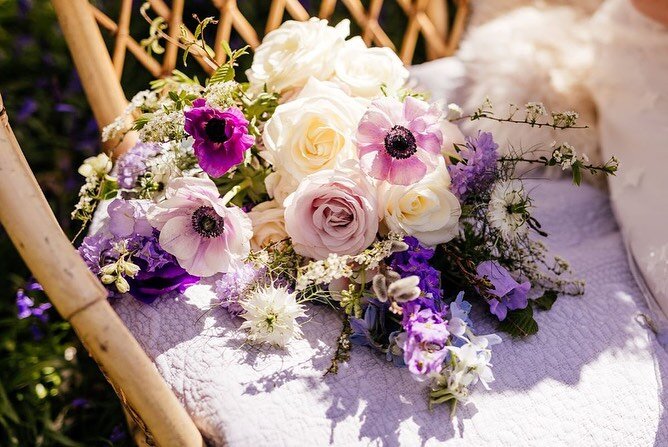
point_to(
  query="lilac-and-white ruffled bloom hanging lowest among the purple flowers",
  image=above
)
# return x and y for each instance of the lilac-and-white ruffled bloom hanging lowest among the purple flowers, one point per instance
(425, 343)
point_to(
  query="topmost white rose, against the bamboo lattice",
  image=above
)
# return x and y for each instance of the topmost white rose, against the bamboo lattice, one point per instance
(289, 55)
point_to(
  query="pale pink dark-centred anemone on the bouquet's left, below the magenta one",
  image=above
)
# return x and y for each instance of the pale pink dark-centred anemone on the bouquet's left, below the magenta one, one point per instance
(204, 235)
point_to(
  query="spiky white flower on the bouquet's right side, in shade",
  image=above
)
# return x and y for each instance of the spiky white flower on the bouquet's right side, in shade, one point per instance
(507, 209)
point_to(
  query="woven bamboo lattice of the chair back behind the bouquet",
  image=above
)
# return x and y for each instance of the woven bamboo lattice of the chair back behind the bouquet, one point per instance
(428, 18)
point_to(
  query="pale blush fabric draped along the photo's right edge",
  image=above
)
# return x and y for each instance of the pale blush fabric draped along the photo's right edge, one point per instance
(630, 85)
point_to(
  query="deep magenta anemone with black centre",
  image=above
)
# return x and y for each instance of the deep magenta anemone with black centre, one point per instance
(221, 136)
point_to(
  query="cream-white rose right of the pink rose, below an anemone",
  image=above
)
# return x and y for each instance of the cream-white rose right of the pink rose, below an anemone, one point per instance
(426, 209)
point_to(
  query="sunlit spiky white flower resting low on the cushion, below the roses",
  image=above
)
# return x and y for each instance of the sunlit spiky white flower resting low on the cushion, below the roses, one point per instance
(271, 315)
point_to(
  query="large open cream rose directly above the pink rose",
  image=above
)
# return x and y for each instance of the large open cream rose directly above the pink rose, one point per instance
(315, 131)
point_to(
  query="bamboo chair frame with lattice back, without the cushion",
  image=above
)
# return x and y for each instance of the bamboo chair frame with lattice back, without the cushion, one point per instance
(74, 290)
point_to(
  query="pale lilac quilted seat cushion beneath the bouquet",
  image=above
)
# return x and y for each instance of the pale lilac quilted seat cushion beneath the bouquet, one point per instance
(592, 376)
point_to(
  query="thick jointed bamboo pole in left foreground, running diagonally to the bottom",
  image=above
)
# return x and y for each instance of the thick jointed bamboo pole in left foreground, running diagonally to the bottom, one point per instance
(80, 298)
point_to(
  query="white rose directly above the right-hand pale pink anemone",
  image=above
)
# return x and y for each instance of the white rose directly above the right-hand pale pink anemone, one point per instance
(365, 69)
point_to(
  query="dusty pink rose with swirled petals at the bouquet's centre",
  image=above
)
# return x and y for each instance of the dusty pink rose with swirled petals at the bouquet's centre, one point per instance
(332, 211)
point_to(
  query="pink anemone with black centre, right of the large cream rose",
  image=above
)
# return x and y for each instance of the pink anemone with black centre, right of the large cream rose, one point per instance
(399, 142)
